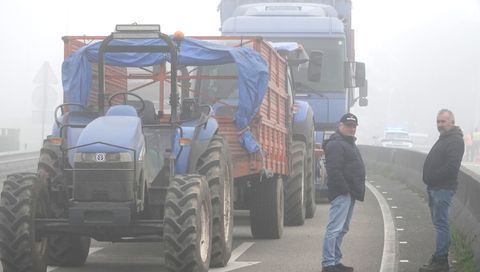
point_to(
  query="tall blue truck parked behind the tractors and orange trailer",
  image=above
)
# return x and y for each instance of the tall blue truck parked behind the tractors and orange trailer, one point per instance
(324, 28)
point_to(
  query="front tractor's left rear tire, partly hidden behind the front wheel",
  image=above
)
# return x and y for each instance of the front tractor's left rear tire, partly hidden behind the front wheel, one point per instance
(63, 249)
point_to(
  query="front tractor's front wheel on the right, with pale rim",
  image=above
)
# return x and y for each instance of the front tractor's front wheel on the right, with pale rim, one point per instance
(188, 225)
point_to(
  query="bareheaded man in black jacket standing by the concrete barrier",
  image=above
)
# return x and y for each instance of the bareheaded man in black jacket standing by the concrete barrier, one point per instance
(440, 172)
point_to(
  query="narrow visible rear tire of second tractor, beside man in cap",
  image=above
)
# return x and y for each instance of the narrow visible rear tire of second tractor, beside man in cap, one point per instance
(310, 164)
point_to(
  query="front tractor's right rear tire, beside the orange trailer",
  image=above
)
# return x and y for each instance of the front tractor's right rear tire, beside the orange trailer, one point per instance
(216, 165)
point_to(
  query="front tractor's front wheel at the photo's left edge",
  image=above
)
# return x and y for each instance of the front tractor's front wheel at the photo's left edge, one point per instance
(23, 199)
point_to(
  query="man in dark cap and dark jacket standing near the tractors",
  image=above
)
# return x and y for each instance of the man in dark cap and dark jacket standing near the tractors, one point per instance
(346, 184)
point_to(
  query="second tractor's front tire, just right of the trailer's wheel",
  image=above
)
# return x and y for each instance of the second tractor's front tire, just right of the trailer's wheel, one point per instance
(295, 204)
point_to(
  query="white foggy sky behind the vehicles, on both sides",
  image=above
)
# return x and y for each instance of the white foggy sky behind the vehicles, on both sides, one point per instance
(421, 56)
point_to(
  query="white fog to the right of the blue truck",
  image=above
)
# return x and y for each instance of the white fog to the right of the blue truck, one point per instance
(421, 56)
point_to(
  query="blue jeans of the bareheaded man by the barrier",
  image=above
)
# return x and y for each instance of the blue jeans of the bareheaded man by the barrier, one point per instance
(439, 202)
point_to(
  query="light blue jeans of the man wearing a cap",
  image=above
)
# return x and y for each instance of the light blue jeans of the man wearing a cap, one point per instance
(339, 218)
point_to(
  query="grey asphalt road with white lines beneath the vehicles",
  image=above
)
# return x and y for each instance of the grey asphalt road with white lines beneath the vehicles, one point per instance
(402, 223)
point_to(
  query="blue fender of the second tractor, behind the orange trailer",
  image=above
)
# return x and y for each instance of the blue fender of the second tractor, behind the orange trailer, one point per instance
(302, 121)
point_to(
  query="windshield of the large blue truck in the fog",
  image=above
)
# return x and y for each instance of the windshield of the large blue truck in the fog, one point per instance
(332, 78)
